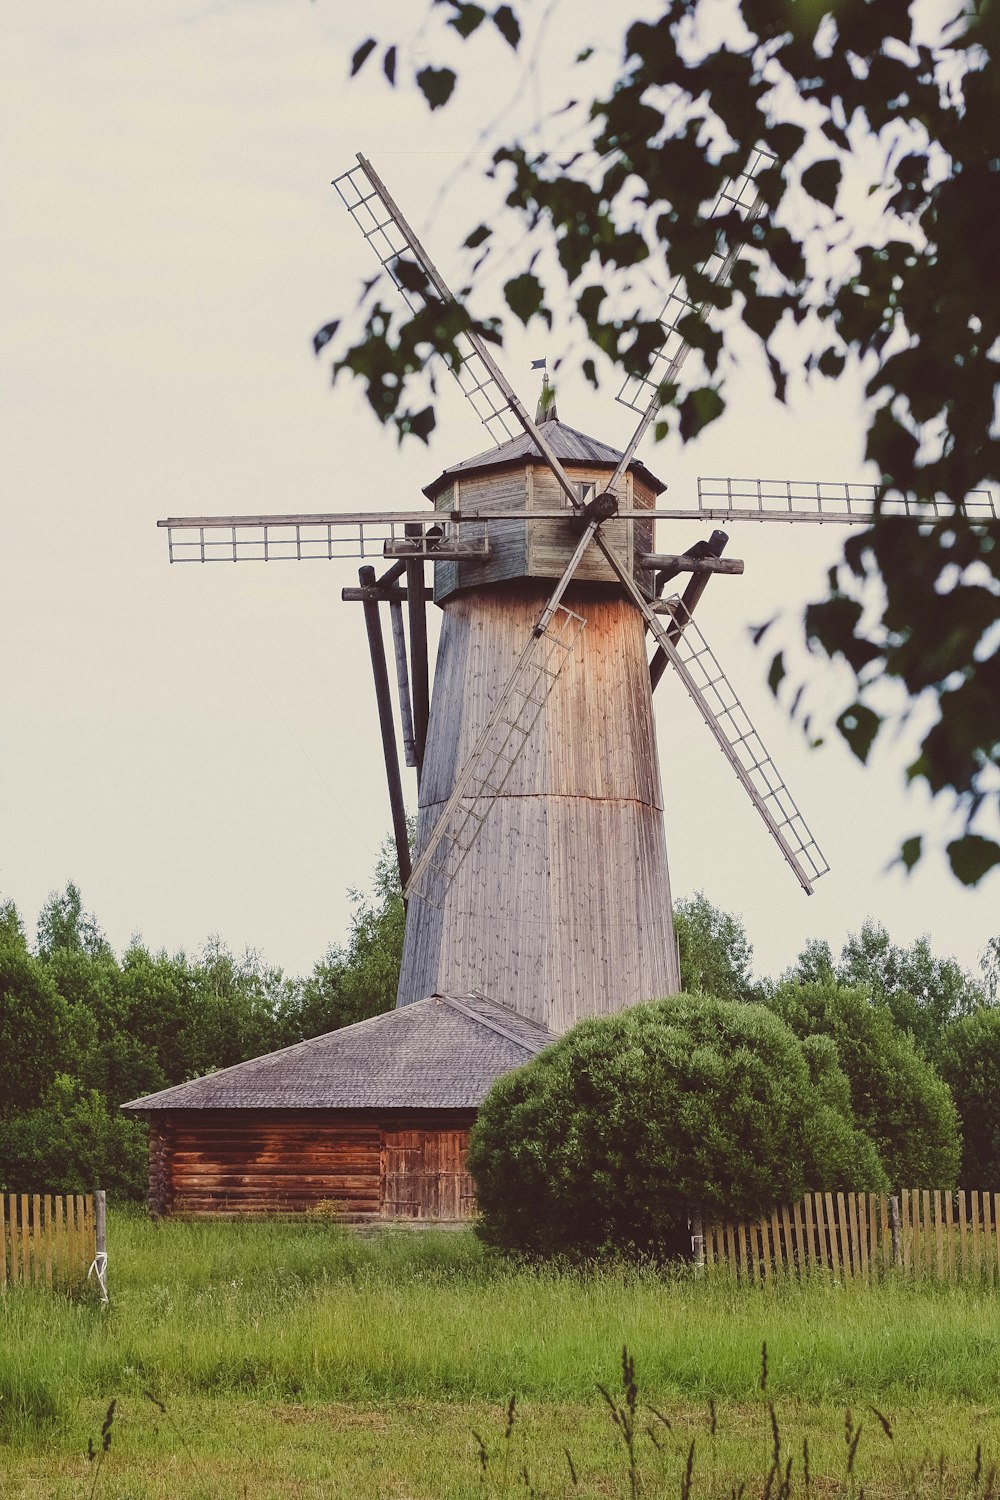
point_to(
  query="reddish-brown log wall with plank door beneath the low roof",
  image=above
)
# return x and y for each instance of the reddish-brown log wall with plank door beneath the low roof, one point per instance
(349, 1163)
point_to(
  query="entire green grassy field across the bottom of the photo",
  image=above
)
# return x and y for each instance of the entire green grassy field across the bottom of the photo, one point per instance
(308, 1361)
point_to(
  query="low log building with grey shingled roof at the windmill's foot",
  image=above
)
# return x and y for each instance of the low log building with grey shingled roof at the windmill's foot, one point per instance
(365, 1124)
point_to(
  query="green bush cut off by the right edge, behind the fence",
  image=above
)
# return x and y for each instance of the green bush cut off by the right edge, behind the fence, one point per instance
(969, 1061)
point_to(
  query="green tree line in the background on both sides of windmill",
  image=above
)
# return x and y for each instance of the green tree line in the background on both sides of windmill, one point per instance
(915, 1037)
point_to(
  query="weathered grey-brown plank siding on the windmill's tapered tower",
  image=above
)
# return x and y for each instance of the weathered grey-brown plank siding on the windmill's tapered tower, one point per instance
(563, 907)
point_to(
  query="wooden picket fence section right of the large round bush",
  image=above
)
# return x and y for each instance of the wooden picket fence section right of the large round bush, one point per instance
(918, 1232)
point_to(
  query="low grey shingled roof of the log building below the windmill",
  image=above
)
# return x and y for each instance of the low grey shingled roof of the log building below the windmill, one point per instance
(437, 1054)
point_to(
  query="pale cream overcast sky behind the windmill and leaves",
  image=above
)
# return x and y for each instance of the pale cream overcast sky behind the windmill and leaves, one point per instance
(199, 746)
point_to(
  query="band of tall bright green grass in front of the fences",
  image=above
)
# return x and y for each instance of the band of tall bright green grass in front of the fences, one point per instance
(322, 1315)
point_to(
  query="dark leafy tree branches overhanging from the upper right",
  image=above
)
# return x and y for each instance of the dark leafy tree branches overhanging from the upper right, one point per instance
(855, 101)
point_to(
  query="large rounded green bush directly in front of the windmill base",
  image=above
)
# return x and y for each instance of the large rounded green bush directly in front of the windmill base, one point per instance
(612, 1136)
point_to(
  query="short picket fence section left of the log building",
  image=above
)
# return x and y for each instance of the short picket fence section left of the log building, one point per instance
(50, 1238)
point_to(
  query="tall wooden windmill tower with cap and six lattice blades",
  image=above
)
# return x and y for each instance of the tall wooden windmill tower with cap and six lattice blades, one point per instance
(540, 874)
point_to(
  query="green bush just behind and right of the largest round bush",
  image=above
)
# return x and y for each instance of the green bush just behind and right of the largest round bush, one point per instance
(897, 1097)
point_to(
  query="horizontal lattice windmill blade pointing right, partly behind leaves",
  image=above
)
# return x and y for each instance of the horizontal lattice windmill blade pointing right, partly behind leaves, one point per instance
(828, 502)
